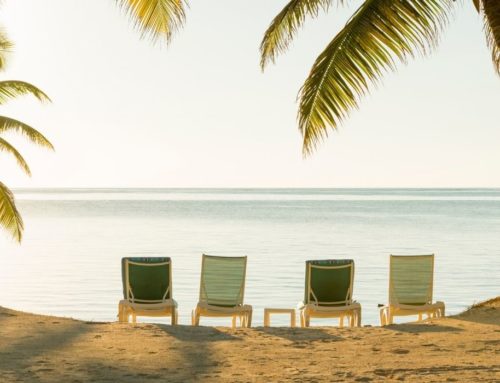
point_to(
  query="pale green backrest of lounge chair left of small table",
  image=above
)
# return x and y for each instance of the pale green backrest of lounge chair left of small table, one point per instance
(222, 281)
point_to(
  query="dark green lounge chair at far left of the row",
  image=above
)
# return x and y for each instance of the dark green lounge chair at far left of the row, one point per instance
(147, 289)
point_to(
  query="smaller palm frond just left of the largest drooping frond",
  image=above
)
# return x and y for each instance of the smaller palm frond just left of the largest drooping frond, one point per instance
(285, 25)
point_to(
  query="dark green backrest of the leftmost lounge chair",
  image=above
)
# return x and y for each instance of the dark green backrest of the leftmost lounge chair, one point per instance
(147, 280)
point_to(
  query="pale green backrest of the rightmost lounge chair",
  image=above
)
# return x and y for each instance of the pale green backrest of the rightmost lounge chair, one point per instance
(411, 279)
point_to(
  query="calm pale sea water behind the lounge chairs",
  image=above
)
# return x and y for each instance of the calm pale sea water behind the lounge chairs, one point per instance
(69, 261)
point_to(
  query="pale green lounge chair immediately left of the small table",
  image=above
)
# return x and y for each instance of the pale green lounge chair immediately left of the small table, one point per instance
(222, 287)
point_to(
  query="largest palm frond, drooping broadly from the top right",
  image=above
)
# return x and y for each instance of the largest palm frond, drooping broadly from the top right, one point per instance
(379, 34)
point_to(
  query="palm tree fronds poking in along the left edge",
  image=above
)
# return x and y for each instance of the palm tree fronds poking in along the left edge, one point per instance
(10, 219)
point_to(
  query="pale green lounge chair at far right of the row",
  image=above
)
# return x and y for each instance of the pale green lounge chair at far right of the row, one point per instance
(410, 288)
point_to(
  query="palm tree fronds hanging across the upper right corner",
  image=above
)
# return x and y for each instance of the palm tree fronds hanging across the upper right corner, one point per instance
(379, 34)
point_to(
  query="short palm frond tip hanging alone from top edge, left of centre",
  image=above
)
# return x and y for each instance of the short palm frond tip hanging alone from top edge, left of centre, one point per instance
(155, 18)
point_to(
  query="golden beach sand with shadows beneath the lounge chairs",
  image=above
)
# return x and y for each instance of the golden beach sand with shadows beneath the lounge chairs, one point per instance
(463, 348)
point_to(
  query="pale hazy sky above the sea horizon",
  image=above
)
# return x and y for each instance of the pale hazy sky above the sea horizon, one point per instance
(200, 113)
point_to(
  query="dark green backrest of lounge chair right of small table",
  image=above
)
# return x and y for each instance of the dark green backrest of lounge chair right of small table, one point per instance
(329, 282)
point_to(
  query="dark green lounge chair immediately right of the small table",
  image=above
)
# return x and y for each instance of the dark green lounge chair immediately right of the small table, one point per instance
(328, 292)
